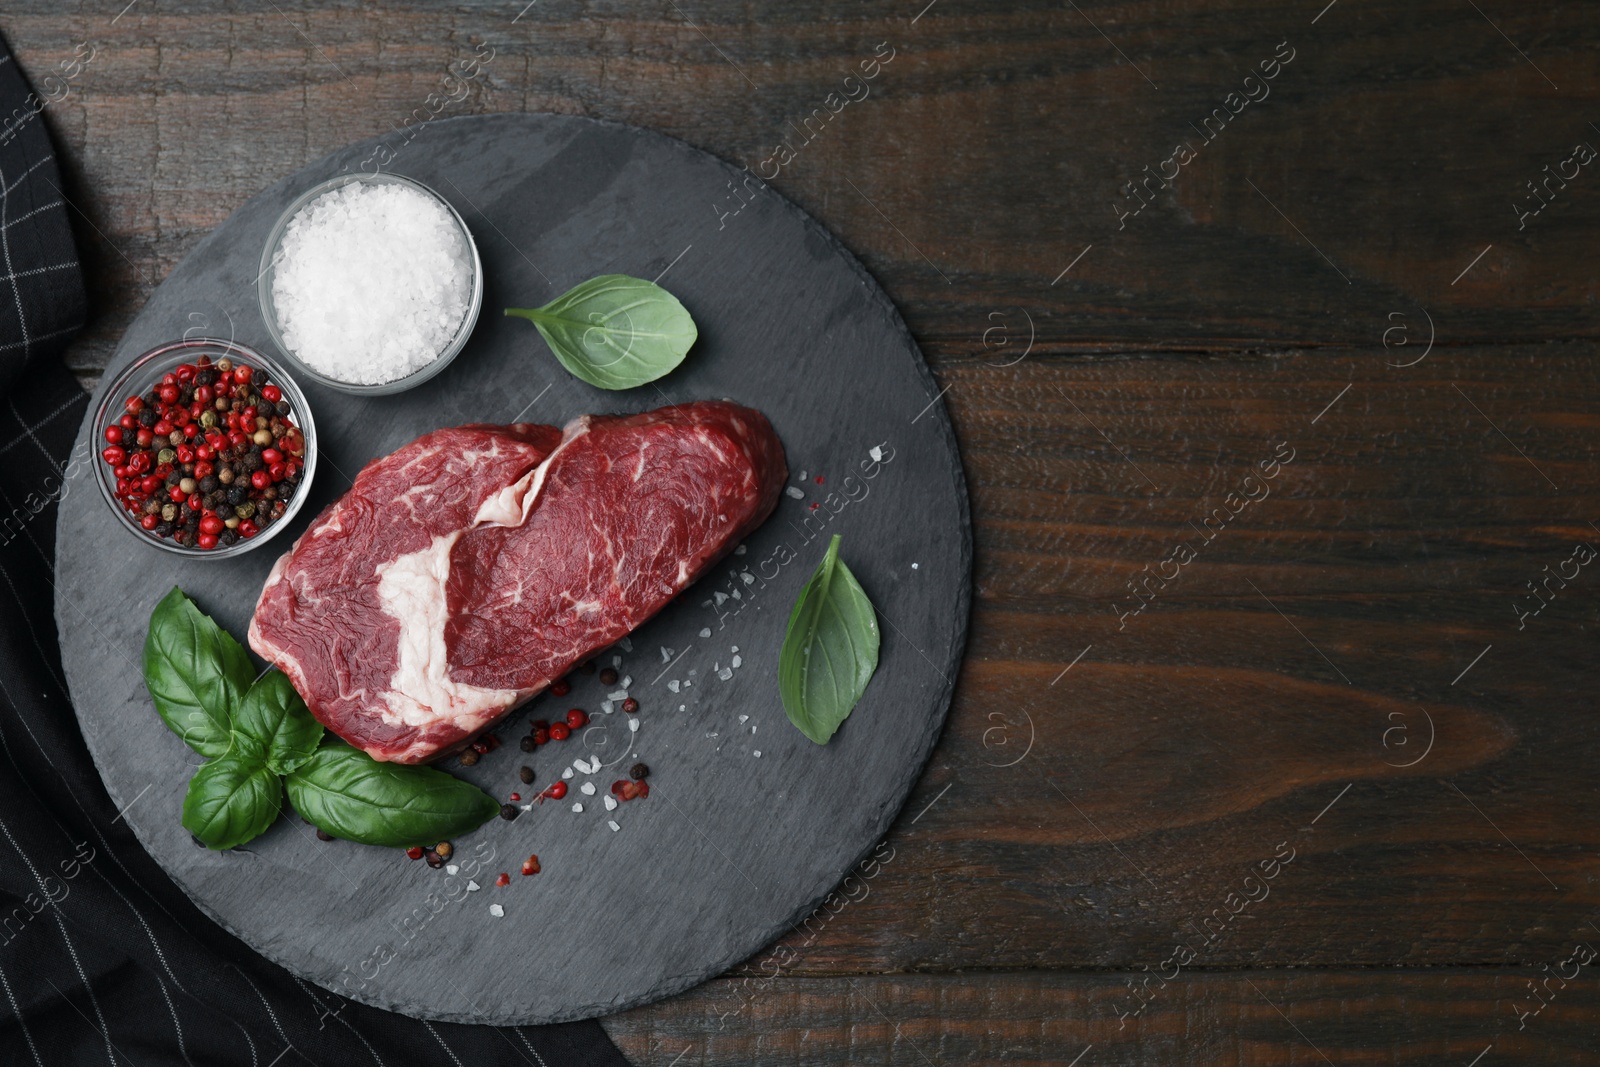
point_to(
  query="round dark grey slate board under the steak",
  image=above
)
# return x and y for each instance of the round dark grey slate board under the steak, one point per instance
(750, 825)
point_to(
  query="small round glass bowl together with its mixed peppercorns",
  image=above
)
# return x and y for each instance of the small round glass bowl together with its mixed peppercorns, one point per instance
(207, 449)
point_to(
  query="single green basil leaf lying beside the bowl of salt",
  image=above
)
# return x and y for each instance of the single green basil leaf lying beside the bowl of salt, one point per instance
(615, 332)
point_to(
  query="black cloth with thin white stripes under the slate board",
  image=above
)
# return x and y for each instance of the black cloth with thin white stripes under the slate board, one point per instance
(103, 961)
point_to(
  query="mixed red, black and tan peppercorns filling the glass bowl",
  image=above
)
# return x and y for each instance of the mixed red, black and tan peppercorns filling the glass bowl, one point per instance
(209, 455)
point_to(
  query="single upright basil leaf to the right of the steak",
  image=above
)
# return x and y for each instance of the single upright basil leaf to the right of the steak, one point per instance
(830, 652)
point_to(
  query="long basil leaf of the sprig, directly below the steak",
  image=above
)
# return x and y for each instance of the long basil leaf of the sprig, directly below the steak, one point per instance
(353, 796)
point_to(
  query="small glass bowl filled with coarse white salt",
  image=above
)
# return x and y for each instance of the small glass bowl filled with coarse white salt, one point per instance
(370, 284)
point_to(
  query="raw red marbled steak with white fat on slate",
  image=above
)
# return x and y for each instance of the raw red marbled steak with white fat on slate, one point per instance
(470, 570)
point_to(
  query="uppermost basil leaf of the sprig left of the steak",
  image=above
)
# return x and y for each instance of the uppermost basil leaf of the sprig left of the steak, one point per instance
(196, 674)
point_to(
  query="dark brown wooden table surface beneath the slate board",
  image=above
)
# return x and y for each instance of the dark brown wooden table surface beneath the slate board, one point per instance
(1276, 737)
